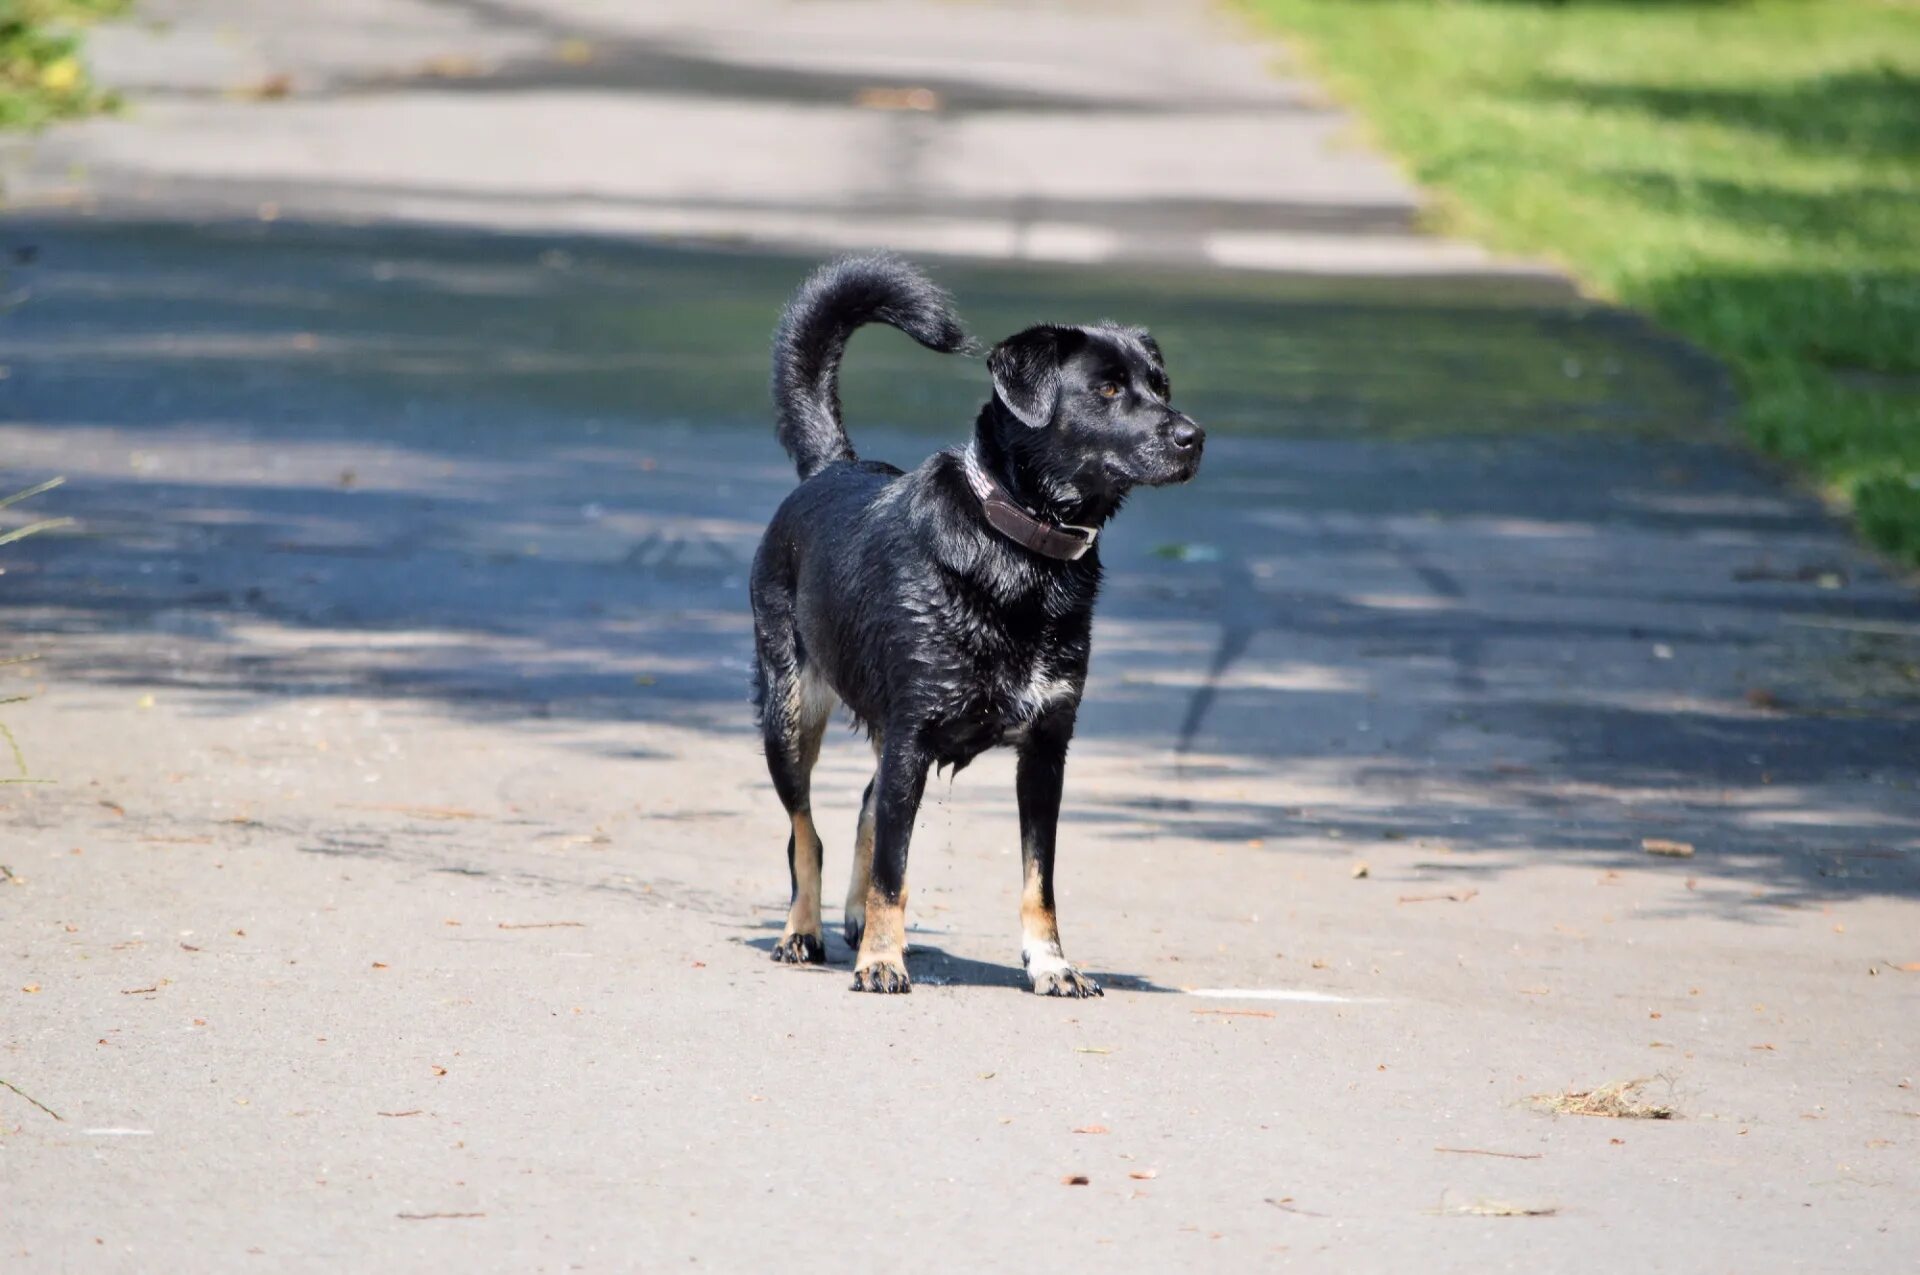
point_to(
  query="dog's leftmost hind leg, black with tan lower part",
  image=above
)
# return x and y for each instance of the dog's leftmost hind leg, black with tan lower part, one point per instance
(796, 717)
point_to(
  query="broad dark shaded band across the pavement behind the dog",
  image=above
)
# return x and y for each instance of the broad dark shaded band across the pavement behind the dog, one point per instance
(519, 479)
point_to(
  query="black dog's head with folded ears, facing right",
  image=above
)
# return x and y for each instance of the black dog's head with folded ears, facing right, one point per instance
(1088, 416)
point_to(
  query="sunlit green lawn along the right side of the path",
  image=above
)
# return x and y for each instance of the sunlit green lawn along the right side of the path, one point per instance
(1744, 174)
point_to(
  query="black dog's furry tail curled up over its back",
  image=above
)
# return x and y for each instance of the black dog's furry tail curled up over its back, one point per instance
(813, 337)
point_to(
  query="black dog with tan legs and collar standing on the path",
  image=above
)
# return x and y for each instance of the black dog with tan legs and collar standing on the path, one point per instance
(949, 608)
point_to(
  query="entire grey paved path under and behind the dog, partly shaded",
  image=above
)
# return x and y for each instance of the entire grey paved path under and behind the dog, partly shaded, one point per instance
(410, 873)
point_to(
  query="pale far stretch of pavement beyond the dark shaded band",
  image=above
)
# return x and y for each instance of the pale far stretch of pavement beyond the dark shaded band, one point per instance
(1045, 132)
